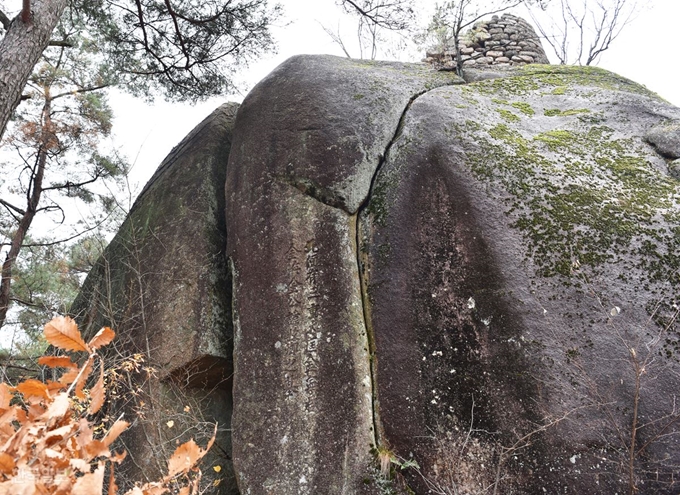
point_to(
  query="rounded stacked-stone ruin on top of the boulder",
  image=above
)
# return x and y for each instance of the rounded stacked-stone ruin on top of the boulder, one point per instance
(506, 40)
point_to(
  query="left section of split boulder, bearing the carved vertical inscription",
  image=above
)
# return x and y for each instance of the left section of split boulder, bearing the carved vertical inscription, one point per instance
(300, 339)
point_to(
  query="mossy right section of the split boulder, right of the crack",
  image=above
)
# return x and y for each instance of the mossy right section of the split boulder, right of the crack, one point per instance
(522, 271)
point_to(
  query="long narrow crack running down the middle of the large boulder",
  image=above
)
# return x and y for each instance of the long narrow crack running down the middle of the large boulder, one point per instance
(362, 267)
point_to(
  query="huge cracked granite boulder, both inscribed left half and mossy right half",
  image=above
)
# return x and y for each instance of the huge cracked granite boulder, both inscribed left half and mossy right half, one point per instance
(478, 281)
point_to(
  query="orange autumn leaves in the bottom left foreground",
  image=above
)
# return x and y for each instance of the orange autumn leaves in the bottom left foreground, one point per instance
(48, 446)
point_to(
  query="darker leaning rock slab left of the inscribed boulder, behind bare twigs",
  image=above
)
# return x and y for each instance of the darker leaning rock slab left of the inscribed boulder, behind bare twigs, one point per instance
(163, 285)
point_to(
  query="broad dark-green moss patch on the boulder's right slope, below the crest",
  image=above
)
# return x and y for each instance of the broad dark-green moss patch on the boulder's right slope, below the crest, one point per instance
(581, 197)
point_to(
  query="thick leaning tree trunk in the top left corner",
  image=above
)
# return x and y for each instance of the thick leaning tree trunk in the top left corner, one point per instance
(20, 50)
